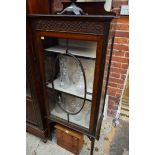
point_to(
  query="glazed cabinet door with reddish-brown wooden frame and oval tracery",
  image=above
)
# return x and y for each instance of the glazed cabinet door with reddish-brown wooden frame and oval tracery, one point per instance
(68, 67)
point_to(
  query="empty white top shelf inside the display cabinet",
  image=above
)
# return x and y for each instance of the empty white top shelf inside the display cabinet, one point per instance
(84, 52)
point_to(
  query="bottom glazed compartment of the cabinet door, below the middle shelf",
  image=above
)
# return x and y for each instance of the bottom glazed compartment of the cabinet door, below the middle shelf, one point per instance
(70, 104)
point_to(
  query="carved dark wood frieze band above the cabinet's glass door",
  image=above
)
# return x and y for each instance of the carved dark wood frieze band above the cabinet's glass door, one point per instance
(72, 26)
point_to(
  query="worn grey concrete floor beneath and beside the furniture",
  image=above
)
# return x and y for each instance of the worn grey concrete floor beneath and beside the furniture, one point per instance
(113, 141)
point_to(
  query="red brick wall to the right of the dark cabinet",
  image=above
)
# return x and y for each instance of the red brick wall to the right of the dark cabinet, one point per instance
(120, 57)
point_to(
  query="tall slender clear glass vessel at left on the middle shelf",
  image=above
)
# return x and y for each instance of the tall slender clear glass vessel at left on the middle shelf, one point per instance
(64, 78)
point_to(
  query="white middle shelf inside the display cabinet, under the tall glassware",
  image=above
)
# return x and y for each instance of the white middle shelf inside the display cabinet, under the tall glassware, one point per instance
(70, 90)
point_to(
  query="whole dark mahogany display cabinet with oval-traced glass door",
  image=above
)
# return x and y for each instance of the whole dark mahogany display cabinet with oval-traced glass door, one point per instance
(71, 52)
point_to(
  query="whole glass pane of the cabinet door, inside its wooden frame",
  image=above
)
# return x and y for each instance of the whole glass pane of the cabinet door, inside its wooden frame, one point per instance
(69, 66)
